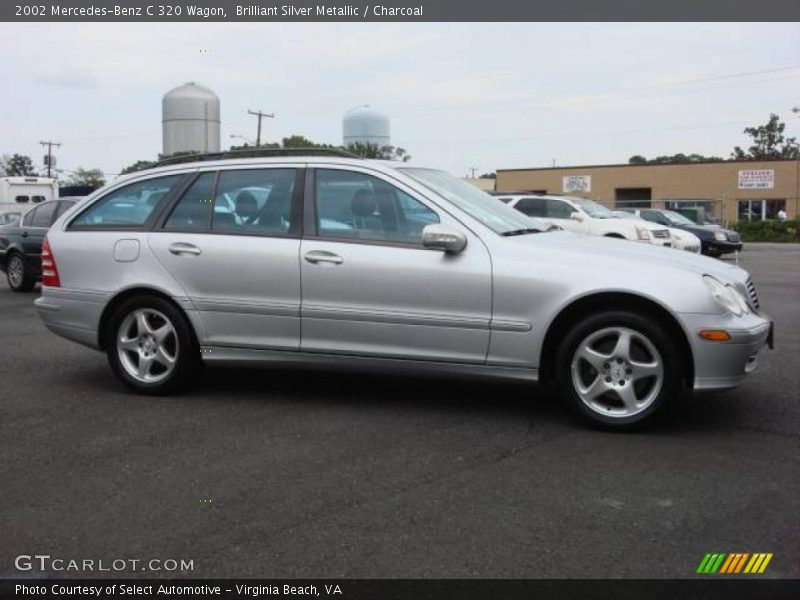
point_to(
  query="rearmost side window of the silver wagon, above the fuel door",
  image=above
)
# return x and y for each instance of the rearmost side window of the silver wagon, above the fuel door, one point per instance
(128, 206)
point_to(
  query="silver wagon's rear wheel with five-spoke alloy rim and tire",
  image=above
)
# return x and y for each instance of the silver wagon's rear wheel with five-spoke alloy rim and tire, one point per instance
(151, 346)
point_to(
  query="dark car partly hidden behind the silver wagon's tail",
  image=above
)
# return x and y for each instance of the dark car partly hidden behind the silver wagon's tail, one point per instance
(21, 243)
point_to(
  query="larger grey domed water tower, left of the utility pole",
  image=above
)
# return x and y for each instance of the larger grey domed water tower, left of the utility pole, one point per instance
(190, 120)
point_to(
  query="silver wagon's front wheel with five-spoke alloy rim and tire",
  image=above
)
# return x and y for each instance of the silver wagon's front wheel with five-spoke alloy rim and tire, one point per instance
(619, 370)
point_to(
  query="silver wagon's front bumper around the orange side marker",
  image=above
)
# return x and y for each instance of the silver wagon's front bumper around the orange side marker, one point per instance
(724, 365)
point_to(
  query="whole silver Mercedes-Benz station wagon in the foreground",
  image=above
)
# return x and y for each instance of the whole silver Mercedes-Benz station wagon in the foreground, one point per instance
(336, 260)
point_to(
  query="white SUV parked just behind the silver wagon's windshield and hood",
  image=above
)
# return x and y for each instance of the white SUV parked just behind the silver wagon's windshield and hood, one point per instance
(587, 217)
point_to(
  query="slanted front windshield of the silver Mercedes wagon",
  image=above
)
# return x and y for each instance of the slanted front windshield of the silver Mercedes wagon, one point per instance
(497, 216)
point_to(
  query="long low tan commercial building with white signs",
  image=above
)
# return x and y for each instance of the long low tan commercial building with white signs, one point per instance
(728, 191)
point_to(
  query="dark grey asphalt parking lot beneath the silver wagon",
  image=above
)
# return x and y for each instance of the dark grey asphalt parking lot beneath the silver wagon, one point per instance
(290, 474)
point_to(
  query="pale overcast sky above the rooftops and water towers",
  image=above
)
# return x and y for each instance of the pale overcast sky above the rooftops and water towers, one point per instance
(459, 95)
